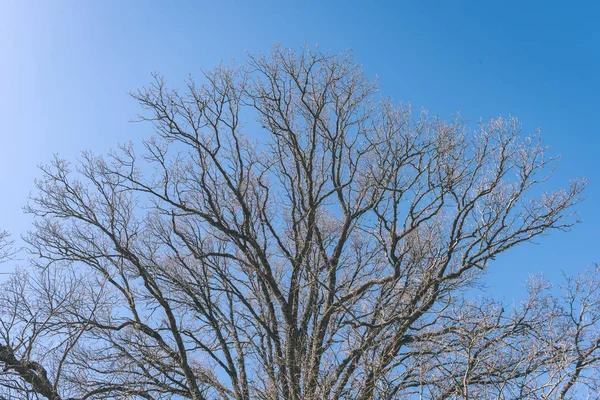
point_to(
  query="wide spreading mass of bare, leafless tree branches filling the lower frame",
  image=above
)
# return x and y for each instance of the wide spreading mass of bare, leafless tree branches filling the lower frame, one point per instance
(322, 249)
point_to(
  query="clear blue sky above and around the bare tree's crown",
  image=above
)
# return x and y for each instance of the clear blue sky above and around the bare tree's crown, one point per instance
(66, 68)
